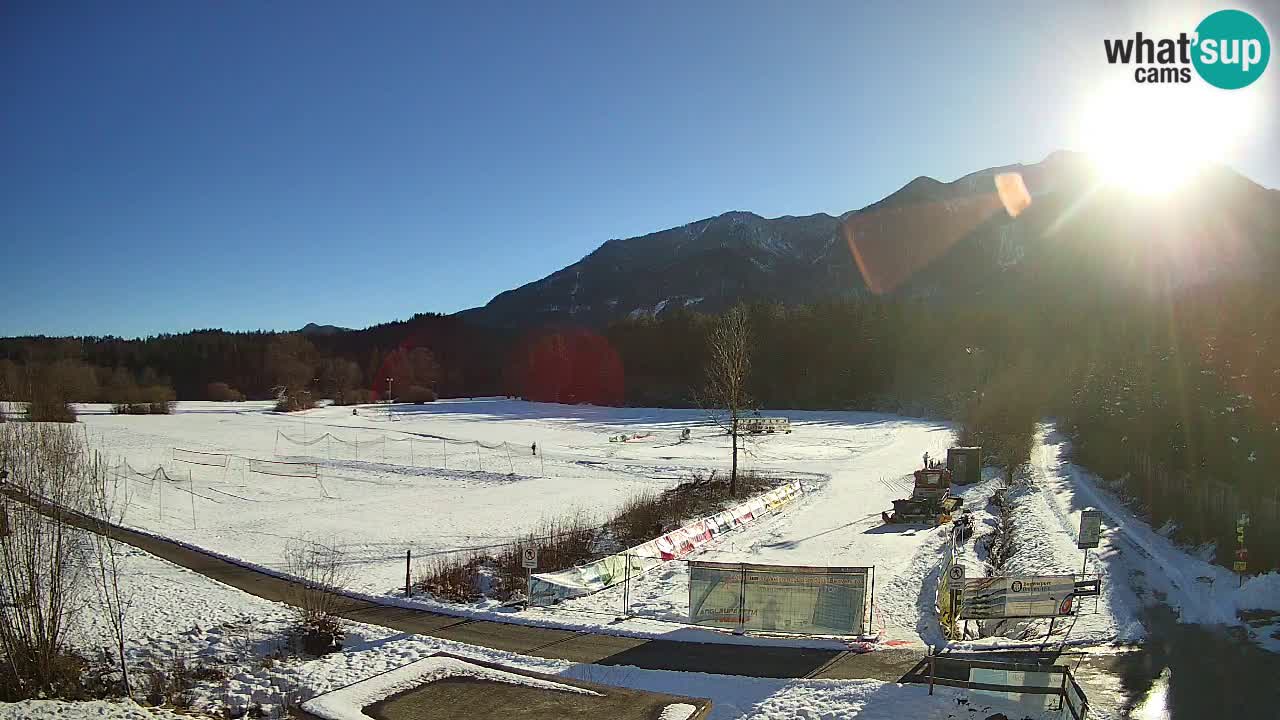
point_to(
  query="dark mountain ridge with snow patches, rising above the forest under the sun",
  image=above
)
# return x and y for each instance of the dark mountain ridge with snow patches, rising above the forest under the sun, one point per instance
(929, 239)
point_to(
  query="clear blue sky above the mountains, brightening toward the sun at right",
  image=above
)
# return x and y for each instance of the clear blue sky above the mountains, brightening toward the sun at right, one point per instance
(176, 166)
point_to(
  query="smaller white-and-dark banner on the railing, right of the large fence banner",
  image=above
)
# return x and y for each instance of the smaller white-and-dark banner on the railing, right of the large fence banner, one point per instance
(1018, 596)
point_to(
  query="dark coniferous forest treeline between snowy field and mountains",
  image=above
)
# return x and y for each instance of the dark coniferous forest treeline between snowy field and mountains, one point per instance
(1176, 399)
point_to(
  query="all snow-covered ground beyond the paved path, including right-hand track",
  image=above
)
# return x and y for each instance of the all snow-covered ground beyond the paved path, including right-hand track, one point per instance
(461, 473)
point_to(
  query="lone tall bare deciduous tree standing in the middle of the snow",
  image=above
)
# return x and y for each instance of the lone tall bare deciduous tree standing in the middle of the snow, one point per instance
(728, 371)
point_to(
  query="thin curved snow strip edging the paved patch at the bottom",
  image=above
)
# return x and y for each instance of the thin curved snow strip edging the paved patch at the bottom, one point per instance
(348, 703)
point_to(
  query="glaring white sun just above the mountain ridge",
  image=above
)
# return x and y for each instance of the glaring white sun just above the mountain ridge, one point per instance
(1151, 140)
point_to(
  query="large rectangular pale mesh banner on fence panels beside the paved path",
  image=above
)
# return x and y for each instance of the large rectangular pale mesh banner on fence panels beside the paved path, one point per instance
(785, 599)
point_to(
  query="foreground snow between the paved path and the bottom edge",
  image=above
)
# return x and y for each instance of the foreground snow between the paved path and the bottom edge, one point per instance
(179, 613)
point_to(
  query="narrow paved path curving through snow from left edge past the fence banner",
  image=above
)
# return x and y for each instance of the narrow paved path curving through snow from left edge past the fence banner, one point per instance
(757, 662)
